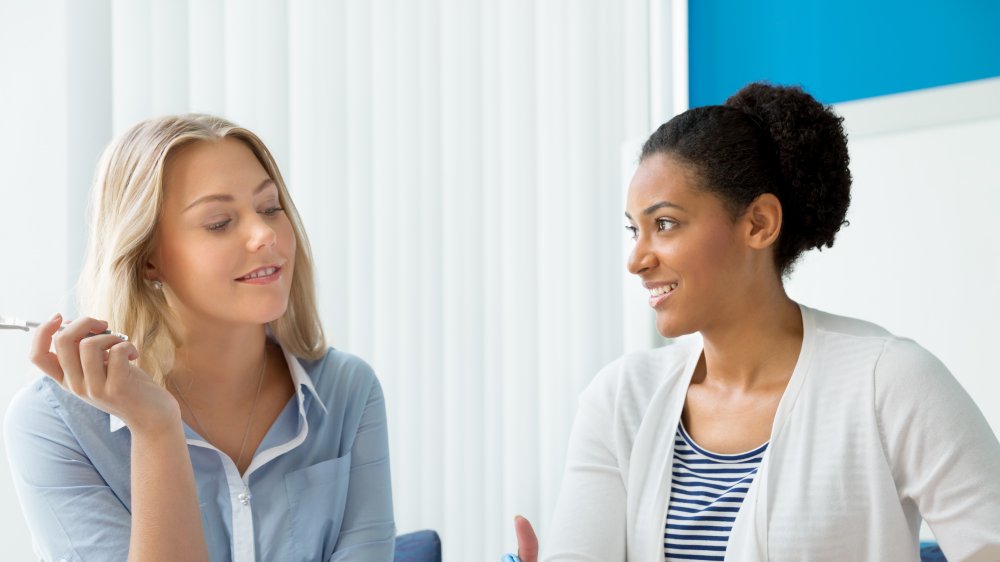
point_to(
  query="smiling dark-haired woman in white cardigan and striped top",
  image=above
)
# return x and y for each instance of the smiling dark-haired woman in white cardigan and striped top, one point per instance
(768, 430)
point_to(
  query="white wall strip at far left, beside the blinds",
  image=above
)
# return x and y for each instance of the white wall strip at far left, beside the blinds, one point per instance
(33, 226)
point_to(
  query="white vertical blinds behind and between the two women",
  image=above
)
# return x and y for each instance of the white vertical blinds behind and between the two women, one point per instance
(459, 167)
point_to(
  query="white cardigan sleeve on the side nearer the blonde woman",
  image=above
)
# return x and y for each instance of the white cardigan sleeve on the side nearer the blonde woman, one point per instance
(588, 524)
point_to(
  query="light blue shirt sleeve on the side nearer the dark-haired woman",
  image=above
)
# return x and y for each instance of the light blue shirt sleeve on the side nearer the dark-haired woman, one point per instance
(368, 531)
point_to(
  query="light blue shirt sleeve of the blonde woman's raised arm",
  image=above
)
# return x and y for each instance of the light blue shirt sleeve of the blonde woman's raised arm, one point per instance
(70, 510)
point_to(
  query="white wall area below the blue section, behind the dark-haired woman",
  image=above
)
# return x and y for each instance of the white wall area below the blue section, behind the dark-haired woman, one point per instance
(921, 256)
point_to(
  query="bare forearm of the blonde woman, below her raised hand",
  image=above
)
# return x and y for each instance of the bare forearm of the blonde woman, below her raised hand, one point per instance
(166, 521)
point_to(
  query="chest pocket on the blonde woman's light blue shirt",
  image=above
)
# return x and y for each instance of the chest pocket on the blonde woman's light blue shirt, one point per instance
(317, 496)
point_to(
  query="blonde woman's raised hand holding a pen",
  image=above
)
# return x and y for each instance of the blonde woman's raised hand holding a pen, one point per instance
(97, 368)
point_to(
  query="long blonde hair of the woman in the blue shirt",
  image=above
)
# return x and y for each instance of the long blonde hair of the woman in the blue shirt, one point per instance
(125, 206)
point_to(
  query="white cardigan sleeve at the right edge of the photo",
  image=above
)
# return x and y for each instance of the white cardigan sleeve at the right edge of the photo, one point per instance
(943, 455)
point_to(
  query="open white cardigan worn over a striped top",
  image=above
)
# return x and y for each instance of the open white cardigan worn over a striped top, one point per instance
(871, 434)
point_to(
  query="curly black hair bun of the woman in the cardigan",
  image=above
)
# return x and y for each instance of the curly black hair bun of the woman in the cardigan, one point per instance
(811, 149)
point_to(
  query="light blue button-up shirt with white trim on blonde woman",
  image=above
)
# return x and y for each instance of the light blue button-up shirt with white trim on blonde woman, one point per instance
(317, 488)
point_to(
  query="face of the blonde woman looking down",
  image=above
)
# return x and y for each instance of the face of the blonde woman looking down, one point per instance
(224, 250)
